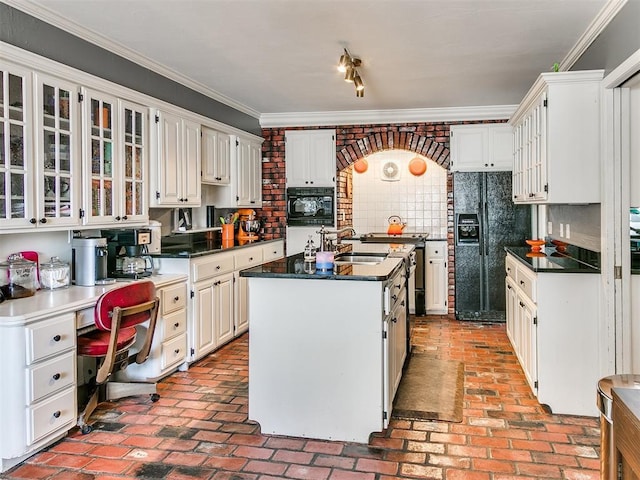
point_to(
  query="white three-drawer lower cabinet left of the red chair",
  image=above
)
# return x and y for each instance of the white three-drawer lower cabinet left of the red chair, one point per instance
(38, 361)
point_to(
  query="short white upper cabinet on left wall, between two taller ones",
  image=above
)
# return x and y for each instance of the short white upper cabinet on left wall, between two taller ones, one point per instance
(216, 157)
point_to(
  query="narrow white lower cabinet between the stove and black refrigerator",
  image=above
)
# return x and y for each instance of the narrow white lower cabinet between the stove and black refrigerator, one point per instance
(436, 291)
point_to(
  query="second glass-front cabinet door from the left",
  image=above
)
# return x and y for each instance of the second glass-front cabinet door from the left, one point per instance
(57, 185)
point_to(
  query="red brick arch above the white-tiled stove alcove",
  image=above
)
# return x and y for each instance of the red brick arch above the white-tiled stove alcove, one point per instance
(373, 142)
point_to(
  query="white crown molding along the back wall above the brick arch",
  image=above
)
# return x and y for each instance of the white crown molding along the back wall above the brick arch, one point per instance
(365, 117)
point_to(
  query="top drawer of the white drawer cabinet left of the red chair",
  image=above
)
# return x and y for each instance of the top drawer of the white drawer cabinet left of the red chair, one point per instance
(50, 337)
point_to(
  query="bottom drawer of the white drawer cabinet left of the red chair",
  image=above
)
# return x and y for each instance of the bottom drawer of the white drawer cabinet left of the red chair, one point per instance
(51, 415)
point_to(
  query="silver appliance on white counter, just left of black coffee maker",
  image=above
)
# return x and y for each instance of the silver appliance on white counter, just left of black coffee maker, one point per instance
(89, 261)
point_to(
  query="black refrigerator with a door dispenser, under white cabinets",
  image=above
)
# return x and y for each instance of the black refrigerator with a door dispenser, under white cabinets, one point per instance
(486, 220)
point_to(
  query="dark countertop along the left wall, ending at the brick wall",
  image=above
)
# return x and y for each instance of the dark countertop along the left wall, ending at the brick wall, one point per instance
(187, 246)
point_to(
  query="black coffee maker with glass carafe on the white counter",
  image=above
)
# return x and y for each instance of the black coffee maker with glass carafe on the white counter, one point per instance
(128, 255)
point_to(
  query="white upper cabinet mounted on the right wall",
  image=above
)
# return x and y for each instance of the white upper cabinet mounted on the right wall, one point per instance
(556, 139)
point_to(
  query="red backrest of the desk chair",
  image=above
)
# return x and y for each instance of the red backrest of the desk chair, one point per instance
(129, 295)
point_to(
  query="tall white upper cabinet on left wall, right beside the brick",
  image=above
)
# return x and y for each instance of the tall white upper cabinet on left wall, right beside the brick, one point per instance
(245, 188)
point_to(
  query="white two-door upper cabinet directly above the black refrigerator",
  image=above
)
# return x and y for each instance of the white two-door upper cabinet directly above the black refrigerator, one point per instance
(481, 147)
